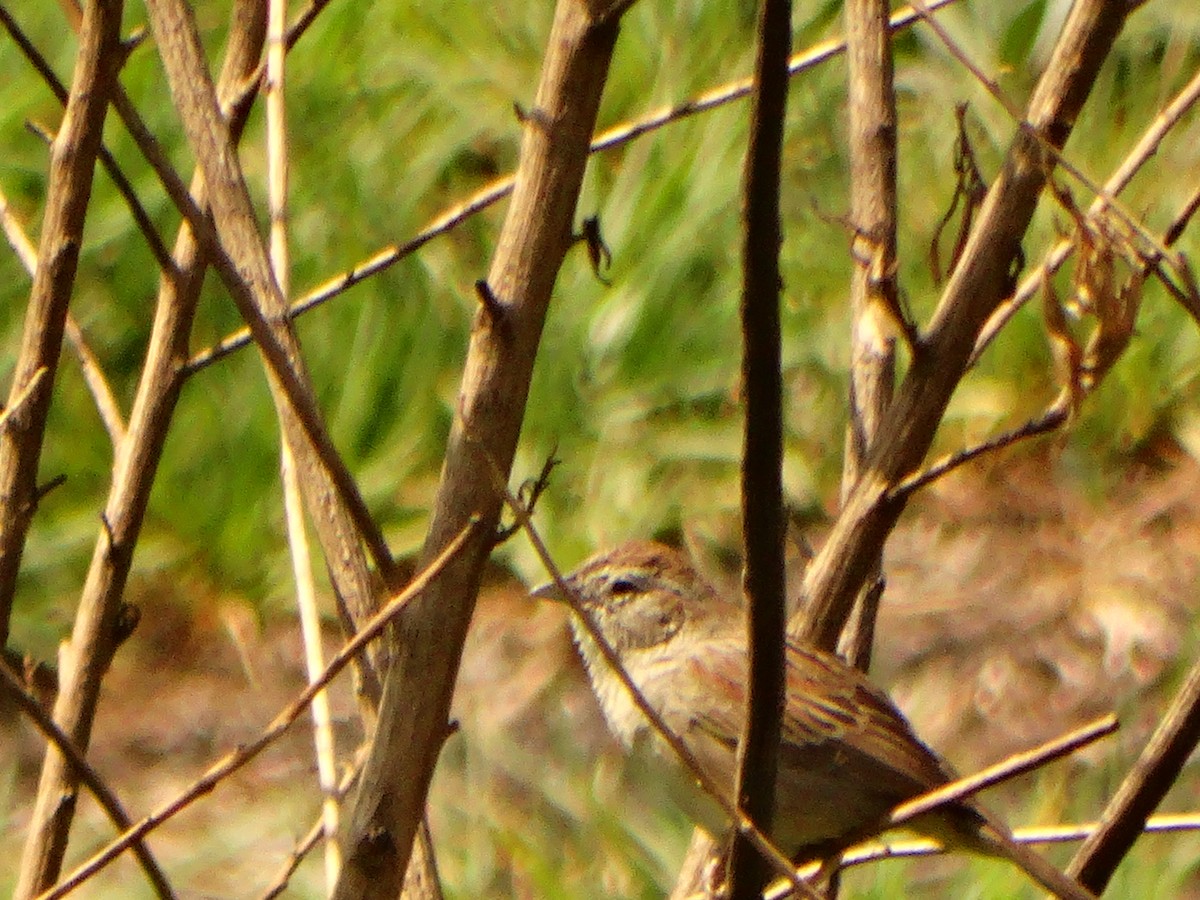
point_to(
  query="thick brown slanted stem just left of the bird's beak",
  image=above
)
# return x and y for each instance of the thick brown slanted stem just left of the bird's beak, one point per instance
(428, 641)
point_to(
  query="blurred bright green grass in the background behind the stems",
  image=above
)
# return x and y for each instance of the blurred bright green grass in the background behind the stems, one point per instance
(399, 112)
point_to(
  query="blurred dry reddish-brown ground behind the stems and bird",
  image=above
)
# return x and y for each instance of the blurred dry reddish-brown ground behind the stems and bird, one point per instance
(1017, 608)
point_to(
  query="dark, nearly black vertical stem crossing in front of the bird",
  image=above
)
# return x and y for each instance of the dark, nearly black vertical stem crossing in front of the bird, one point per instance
(763, 458)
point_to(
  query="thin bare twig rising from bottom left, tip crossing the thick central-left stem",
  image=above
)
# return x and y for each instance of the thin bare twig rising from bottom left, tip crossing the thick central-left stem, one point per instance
(279, 725)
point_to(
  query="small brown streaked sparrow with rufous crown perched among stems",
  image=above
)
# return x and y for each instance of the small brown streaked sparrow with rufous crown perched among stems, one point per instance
(849, 757)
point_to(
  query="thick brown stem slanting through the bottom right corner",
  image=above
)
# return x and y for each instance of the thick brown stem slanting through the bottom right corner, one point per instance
(1156, 771)
